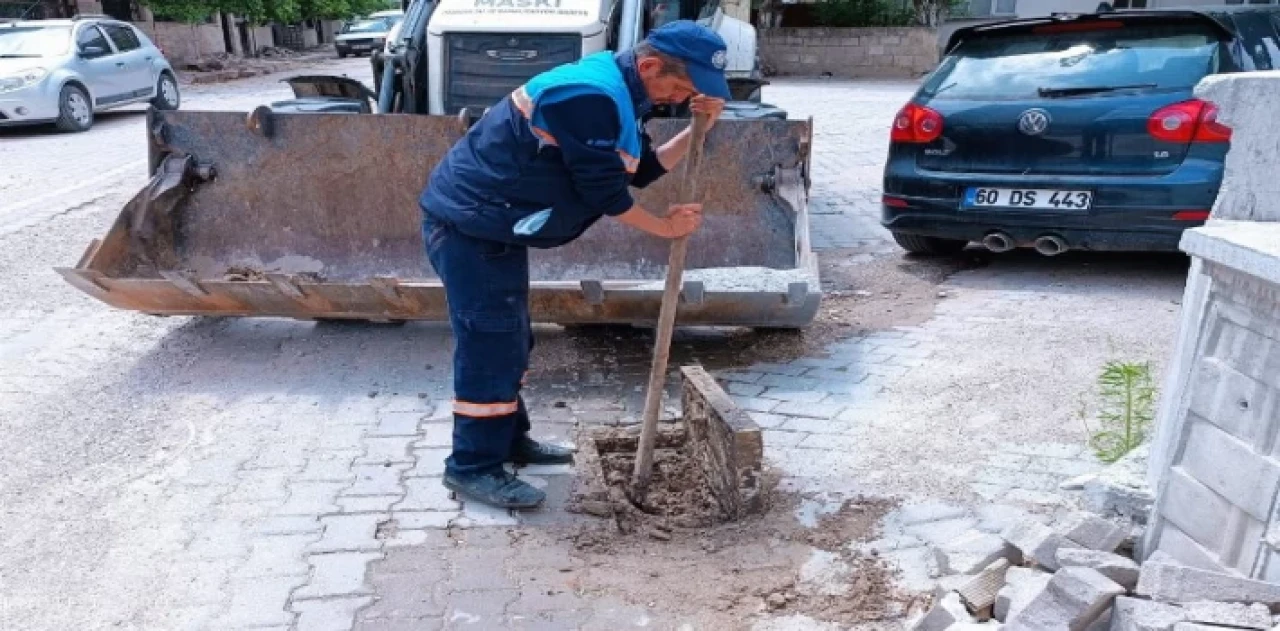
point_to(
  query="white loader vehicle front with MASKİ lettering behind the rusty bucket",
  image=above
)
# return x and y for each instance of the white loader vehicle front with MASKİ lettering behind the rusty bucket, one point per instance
(469, 54)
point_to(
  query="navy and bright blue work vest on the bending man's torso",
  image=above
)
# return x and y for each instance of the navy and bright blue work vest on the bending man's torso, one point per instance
(497, 184)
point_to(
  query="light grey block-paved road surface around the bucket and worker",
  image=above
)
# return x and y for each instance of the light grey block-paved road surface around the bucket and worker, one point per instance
(259, 474)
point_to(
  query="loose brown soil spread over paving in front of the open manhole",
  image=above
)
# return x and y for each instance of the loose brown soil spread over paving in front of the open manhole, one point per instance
(767, 565)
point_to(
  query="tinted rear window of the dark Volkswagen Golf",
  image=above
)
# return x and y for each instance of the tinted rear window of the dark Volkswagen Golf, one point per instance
(1020, 66)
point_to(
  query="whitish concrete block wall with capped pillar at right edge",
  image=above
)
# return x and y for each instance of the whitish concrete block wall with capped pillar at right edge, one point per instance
(1217, 455)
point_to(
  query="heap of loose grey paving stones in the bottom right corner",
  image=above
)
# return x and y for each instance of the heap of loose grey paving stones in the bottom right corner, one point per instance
(1076, 575)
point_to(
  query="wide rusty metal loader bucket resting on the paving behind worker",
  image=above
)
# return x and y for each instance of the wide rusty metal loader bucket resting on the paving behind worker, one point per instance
(317, 217)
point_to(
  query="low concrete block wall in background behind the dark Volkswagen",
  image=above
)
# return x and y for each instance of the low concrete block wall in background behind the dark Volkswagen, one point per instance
(851, 53)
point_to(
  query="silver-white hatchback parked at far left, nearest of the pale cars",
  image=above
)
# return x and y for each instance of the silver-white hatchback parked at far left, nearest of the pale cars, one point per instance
(63, 71)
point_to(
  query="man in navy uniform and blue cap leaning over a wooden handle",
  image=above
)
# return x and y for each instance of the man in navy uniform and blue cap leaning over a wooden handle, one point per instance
(538, 171)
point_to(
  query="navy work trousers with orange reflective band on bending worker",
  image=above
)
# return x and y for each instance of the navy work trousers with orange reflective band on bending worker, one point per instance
(487, 286)
